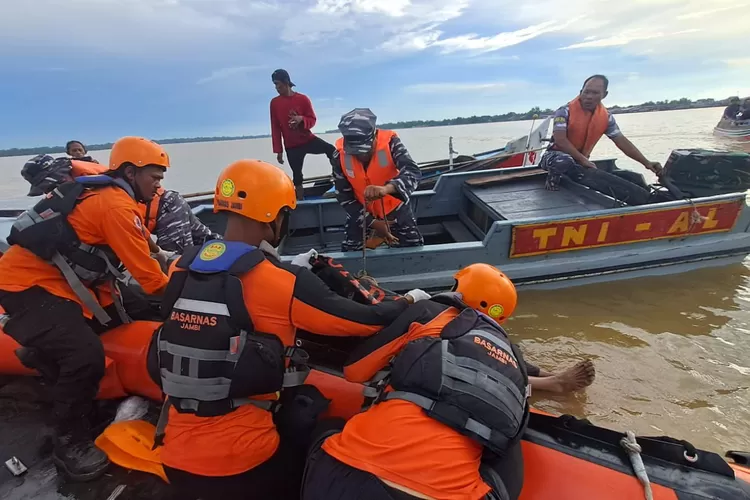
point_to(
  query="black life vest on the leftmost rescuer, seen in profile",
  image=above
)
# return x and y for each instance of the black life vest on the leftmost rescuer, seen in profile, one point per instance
(45, 231)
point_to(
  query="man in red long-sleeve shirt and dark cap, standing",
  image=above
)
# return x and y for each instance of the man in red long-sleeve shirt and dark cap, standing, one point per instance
(293, 117)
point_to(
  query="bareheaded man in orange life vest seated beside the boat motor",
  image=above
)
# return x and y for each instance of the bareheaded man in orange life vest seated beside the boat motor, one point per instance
(577, 128)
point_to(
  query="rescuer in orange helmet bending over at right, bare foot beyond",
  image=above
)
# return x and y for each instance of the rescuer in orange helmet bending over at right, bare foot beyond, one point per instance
(450, 403)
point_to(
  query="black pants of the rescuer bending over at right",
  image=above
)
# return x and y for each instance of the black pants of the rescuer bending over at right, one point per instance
(329, 479)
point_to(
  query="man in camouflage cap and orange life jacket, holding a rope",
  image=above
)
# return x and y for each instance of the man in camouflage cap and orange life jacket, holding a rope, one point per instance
(374, 177)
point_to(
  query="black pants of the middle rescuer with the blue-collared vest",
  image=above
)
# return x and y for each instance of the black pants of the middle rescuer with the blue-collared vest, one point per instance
(277, 478)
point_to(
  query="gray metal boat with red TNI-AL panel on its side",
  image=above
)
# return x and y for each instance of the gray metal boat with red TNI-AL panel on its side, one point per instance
(542, 238)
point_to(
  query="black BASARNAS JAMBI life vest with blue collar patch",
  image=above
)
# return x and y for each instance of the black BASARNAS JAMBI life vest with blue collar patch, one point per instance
(207, 357)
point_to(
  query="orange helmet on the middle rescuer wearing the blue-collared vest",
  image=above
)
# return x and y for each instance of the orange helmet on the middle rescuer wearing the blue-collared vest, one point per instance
(254, 189)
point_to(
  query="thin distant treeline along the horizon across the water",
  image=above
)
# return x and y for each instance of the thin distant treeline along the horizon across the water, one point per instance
(683, 103)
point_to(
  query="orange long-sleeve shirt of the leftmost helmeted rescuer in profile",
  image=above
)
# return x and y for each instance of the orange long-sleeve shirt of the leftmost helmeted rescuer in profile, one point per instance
(105, 216)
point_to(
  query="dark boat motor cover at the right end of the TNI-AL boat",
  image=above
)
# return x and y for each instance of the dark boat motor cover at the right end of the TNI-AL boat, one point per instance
(703, 172)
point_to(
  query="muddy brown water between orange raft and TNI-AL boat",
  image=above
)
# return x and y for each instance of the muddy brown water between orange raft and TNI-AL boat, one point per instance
(671, 353)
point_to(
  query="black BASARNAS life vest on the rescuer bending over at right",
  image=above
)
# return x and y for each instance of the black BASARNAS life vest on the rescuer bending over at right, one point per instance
(471, 378)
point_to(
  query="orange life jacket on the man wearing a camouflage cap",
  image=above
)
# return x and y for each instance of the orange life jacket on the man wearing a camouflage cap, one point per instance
(380, 170)
